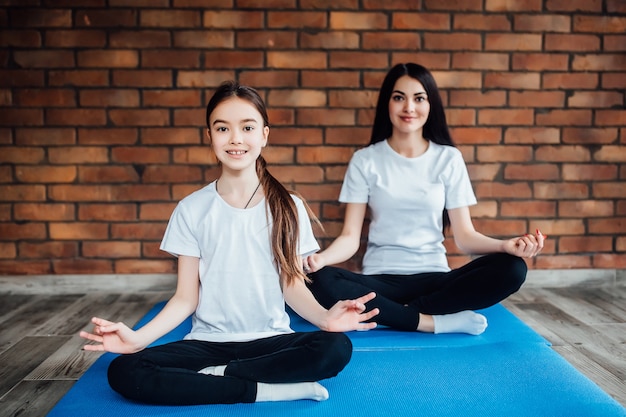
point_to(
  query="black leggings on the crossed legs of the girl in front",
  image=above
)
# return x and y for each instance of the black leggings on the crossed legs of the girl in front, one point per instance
(168, 374)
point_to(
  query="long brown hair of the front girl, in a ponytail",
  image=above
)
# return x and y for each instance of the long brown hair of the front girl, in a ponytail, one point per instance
(285, 229)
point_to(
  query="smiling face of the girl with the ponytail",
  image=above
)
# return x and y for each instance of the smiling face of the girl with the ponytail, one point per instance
(237, 133)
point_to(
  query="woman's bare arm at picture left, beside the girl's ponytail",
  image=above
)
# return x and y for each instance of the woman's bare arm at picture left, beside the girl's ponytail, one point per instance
(345, 245)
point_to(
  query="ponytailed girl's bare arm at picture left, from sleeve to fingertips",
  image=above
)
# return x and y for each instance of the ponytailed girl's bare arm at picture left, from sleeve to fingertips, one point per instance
(119, 338)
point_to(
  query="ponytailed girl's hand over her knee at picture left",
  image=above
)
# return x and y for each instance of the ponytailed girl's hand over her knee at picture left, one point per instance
(112, 337)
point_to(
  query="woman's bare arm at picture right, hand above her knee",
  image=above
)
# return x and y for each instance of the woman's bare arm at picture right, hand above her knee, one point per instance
(472, 242)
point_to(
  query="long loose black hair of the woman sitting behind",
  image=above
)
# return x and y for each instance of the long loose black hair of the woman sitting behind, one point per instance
(435, 128)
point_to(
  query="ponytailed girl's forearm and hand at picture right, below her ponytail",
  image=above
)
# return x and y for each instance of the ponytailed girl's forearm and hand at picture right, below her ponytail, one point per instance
(342, 317)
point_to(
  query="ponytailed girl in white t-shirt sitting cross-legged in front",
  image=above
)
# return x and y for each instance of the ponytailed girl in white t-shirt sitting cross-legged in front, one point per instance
(239, 243)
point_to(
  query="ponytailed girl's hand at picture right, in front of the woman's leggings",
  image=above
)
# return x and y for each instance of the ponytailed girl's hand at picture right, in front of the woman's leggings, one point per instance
(349, 315)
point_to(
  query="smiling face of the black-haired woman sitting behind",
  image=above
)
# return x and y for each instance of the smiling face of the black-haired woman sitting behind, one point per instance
(408, 106)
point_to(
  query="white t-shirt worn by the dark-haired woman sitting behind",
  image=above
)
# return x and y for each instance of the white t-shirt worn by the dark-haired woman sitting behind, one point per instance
(406, 197)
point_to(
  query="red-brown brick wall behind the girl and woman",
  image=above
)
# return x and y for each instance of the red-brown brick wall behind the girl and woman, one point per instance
(102, 109)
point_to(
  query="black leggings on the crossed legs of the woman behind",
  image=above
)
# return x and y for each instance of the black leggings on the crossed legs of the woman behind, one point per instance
(481, 283)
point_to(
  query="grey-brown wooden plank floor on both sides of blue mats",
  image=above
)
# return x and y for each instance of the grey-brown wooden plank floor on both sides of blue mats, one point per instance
(41, 356)
